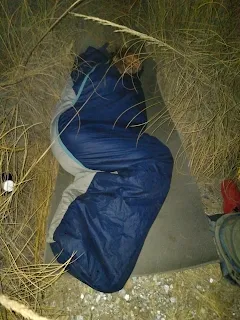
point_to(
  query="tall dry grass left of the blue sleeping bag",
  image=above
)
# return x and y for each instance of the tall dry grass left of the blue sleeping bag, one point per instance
(28, 93)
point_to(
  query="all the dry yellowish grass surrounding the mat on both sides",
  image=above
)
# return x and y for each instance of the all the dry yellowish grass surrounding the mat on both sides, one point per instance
(197, 49)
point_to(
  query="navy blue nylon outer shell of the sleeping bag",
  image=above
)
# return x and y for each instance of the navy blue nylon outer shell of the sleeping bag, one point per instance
(107, 225)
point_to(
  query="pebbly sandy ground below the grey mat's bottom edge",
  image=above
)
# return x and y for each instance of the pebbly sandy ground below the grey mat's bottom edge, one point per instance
(192, 294)
